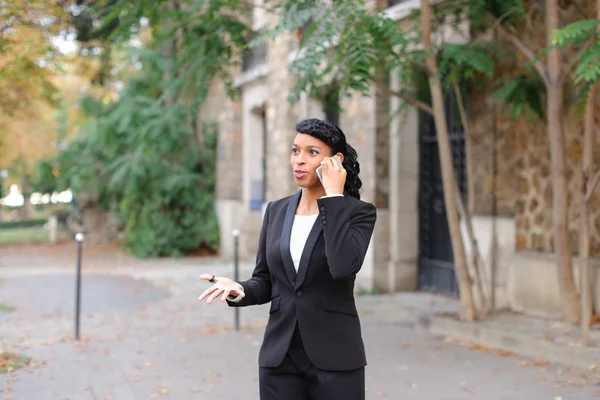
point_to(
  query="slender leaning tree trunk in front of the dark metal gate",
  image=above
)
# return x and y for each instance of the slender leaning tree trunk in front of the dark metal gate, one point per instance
(468, 311)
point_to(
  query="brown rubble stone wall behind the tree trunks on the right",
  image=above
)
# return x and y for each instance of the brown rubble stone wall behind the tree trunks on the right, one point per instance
(512, 166)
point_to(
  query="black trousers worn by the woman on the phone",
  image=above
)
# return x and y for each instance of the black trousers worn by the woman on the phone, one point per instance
(298, 379)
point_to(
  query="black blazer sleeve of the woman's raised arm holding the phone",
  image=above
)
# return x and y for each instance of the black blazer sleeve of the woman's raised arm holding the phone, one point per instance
(347, 232)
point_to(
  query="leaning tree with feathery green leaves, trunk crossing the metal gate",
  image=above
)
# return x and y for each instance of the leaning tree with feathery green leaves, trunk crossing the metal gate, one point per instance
(346, 43)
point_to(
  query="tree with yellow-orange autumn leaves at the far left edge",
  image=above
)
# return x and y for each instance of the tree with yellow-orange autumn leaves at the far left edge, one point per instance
(28, 62)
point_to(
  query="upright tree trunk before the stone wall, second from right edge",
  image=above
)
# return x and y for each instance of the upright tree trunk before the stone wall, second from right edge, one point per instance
(562, 248)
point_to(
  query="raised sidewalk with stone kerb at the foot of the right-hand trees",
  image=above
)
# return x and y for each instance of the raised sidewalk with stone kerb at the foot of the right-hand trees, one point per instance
(542, 339)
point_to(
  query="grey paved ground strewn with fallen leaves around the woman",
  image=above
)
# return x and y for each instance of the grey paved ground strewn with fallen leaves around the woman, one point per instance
(145, 336)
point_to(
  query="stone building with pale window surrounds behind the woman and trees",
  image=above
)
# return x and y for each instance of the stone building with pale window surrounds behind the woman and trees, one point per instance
(410, 250)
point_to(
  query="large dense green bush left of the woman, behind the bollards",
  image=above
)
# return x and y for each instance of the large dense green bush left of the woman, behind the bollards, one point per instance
(137, 154)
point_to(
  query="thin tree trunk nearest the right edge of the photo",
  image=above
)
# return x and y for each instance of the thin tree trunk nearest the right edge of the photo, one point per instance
(588, 187)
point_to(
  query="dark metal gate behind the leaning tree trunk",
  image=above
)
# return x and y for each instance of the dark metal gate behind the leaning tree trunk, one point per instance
(436, 261)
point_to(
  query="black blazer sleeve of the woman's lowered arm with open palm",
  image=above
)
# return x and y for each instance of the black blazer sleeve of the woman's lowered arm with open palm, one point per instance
(258, 287)
